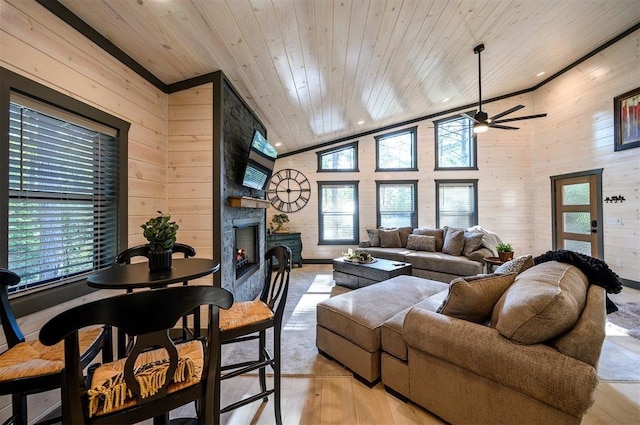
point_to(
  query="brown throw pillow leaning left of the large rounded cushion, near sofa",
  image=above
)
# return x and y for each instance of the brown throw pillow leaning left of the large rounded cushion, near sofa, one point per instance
(474, 300)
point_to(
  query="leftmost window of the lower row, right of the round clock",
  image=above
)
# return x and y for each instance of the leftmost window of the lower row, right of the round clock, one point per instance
(338, 213)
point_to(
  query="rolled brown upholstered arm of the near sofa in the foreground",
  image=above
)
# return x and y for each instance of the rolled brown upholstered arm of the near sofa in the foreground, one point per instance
(537, 370)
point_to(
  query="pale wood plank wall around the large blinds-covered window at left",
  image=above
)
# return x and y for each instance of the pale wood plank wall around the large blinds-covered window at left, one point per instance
(39, 46)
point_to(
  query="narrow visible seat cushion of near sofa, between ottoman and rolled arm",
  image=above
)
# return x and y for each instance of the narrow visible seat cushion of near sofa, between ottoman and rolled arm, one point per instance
(391, 331)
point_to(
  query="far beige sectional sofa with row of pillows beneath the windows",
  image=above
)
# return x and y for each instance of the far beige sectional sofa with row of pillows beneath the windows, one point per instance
(437, 254)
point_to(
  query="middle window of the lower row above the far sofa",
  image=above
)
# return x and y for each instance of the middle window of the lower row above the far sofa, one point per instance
(396, 203)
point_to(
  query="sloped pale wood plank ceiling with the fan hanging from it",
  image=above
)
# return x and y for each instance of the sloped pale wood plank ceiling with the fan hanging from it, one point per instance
(319, 70)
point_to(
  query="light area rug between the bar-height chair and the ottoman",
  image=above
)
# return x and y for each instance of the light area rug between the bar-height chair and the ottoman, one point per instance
(300, 356)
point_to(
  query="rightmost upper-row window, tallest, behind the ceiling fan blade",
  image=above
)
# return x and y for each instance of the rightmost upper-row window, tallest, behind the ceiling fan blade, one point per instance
(455, 144)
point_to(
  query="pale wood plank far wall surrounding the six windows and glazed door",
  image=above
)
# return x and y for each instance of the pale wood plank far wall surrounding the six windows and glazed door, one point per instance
(515, 167)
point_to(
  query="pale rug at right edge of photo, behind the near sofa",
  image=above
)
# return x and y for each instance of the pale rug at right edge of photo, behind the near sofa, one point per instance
(618, 363)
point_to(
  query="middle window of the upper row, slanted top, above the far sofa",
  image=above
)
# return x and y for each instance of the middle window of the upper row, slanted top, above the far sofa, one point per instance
(397, 151)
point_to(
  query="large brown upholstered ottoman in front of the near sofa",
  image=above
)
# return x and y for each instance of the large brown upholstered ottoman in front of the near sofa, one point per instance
(348, 325)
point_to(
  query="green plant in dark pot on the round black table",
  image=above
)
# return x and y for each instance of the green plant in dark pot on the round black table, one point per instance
(161, 235)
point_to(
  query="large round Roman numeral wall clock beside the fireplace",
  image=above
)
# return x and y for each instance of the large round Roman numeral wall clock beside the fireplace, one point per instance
(289, 190)
